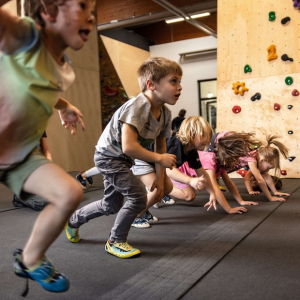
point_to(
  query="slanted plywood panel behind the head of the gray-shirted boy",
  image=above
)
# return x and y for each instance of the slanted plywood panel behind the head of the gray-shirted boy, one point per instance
(126, 60)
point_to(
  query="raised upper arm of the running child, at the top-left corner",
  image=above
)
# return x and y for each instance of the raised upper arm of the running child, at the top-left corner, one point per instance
(14, 31)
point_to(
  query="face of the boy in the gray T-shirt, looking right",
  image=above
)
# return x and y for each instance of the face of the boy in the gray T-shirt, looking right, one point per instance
(168, 89)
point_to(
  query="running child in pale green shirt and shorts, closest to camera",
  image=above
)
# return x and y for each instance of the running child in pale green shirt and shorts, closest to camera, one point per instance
(33, 73)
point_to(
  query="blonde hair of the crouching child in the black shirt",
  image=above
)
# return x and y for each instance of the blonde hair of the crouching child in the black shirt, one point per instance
(192, 126)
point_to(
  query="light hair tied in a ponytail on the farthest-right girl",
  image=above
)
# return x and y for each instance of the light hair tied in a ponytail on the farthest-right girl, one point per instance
(271, 154)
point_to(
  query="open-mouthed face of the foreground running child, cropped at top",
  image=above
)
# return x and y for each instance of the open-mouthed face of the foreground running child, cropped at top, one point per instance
(74, 22)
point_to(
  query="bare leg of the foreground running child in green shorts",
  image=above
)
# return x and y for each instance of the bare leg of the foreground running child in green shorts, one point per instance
(63, 194)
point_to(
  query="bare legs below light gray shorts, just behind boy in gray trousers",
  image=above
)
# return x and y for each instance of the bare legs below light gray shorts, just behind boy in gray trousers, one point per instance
(147, 180)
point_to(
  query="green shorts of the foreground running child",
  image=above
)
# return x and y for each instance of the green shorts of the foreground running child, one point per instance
(14, 178)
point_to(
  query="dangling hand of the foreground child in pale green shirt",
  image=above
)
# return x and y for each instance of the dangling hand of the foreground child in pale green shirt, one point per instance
(69, 115)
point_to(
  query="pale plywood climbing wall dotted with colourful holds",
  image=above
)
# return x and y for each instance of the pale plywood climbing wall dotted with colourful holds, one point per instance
(258, 65)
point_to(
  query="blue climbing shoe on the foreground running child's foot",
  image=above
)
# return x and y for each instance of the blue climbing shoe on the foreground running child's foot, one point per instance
(44, 274)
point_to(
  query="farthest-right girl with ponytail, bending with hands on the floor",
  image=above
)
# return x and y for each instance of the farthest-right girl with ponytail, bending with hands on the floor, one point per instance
(260, 162)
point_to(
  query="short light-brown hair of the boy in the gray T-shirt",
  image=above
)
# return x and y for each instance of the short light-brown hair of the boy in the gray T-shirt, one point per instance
(155, 68)
